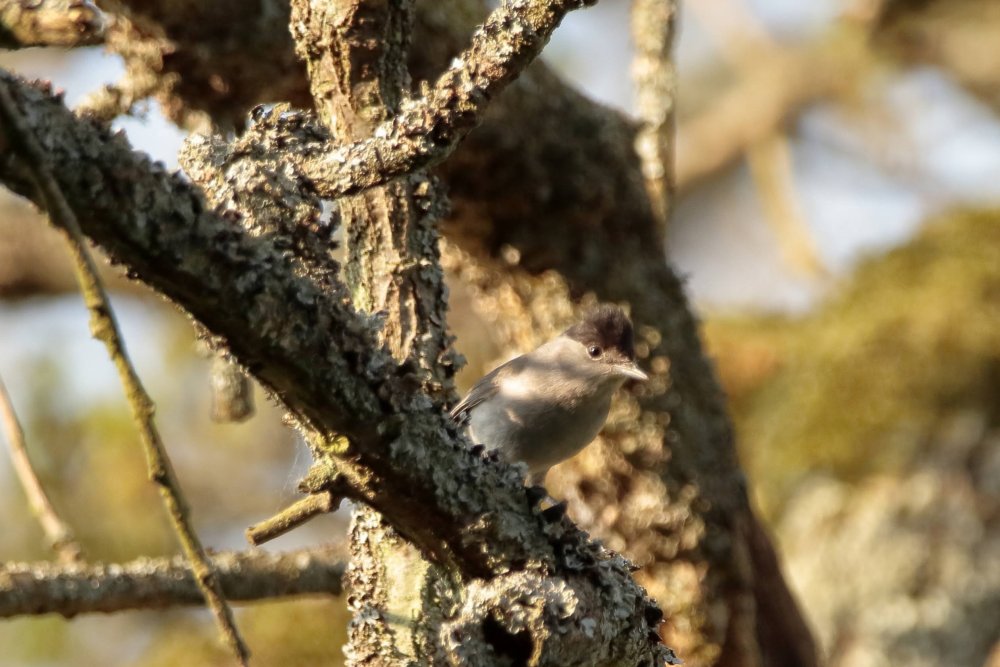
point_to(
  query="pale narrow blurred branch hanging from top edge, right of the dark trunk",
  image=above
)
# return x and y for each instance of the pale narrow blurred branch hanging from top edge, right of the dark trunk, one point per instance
(653, 32)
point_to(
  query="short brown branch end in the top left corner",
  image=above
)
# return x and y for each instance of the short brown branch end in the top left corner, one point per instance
(50, 23)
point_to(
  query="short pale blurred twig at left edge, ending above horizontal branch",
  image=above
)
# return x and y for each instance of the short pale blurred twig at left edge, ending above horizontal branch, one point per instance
(57, 531)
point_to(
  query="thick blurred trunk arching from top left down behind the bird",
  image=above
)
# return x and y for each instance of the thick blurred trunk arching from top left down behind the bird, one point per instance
(548, 164)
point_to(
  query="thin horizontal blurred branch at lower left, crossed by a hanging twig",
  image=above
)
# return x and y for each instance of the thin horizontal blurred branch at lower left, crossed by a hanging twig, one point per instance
(159, 583)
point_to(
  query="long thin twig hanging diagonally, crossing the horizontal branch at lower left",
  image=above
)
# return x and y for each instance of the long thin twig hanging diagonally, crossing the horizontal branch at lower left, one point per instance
(104, 327)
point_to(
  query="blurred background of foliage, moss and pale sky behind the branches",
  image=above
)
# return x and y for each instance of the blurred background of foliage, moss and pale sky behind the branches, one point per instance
(847, 268)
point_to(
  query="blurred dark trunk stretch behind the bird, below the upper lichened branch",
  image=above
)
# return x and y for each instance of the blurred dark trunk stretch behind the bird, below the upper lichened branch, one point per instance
(669, 466)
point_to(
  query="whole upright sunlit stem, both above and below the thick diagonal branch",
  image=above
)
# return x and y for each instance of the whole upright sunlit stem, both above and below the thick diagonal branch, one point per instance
(356, 57)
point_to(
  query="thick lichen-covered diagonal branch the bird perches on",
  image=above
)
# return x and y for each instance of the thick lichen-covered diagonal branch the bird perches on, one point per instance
(321, 360)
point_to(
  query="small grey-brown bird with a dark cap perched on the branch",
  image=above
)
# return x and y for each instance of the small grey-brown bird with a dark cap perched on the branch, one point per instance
(543, 407)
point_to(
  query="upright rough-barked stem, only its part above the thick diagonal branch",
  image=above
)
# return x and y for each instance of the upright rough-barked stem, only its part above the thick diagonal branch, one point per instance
(356, 56)
